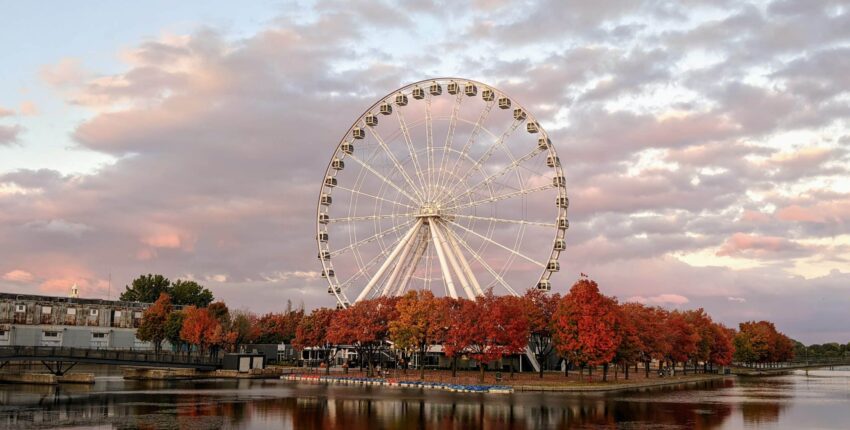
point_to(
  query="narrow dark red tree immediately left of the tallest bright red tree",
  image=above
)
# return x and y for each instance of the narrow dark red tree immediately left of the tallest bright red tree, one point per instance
(540, 309)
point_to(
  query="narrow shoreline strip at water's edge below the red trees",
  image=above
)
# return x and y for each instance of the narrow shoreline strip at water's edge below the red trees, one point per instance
(496, 389)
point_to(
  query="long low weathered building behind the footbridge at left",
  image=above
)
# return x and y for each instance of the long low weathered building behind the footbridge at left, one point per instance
(32, 320)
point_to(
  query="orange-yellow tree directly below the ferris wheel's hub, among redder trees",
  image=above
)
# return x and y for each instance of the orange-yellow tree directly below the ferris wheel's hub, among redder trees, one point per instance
(421, 322)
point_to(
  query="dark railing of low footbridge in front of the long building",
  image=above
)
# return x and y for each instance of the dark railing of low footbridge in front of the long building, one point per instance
(85, 354)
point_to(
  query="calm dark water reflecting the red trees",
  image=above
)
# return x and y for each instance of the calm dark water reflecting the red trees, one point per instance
(820, 399)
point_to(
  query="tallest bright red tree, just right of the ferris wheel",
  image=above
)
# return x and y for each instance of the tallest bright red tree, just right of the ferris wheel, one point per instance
(586, 326)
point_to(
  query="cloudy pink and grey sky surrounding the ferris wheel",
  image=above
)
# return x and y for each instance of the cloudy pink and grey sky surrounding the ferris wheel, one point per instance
(705, 144)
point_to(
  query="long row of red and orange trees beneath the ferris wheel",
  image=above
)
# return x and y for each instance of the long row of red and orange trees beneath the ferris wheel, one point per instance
(585, 328)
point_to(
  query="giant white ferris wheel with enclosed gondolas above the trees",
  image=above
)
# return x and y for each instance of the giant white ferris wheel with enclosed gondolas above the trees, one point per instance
(446, 185)
